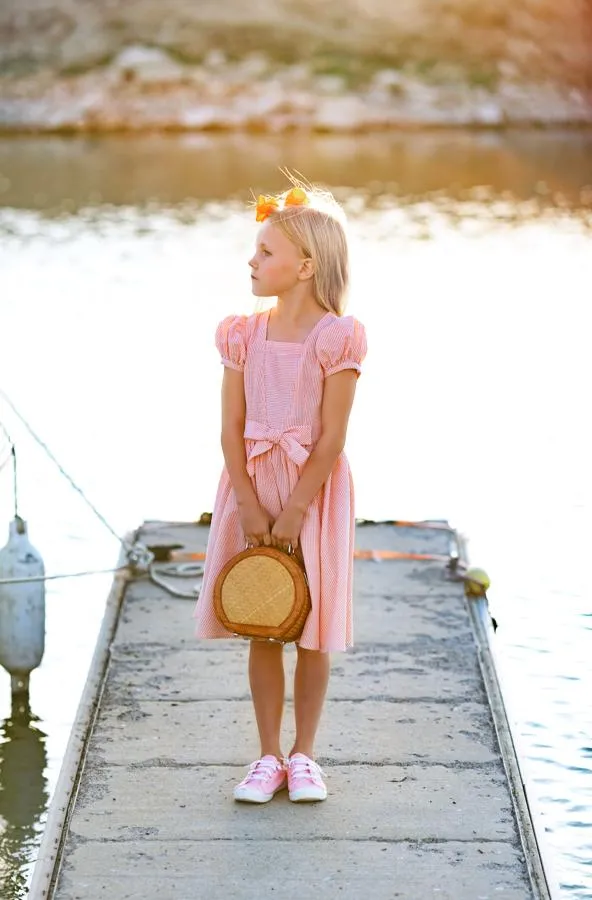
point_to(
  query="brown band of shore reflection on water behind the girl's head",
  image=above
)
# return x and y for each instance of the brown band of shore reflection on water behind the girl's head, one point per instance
(68, 173)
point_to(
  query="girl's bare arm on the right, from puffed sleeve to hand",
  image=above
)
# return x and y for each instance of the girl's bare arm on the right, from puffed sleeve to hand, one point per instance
(338, 398)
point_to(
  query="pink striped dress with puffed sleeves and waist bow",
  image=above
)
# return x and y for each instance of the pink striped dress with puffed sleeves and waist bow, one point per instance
(284, 391)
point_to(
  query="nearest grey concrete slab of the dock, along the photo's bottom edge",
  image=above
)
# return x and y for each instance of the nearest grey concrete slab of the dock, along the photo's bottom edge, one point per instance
(142, 868)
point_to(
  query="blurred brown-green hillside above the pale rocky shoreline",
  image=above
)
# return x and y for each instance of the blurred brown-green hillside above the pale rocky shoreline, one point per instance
(465, 40)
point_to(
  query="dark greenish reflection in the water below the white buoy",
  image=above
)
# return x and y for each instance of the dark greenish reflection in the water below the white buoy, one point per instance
(23, 797)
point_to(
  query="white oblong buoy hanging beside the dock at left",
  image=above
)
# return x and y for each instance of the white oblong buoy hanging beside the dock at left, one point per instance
(22, 607)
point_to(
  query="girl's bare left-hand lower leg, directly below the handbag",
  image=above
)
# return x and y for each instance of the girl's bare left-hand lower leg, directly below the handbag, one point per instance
(266, 677)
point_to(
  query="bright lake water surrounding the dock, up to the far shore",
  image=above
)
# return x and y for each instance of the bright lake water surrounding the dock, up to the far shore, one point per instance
(472, 257)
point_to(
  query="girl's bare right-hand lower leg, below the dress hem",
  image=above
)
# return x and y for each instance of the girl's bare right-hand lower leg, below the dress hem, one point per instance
(310, 686)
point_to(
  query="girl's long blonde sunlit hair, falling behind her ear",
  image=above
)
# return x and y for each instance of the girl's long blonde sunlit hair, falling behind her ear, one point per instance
(317, 228)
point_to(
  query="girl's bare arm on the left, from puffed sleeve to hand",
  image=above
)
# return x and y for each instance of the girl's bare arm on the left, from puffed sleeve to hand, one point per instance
(255, 521)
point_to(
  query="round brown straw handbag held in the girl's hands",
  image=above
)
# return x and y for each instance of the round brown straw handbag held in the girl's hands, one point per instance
(263, 593)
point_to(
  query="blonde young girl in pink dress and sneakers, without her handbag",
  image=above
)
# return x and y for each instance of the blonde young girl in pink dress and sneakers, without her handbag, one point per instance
(288, 387)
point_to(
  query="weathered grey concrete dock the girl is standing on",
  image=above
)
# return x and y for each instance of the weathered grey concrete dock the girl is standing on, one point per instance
(421, 797)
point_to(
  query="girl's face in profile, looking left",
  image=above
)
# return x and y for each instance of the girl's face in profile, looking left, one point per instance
(277, 264)
